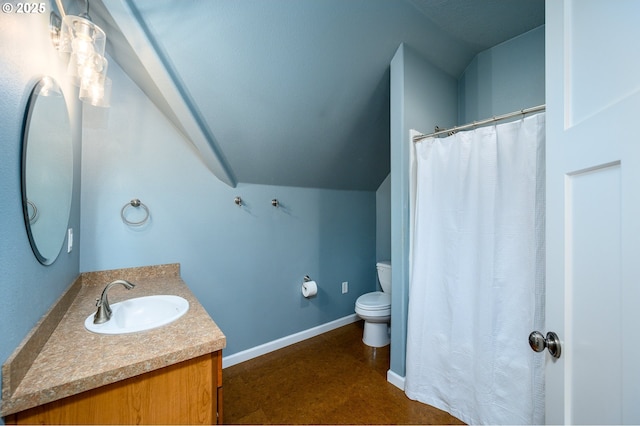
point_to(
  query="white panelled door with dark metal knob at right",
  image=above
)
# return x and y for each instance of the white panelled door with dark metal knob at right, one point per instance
(593, 210)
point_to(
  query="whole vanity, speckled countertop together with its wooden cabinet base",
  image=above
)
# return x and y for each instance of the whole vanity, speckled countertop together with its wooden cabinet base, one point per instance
(64, 374)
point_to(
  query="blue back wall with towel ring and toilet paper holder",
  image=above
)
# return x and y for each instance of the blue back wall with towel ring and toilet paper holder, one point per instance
(245, 264)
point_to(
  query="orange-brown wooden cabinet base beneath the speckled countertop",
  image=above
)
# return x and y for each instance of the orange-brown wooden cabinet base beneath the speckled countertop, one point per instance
(189, 392)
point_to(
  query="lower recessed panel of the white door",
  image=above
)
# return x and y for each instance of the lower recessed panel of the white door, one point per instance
(592, 280)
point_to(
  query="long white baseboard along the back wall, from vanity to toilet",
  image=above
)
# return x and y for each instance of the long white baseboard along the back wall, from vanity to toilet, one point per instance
(265, 348)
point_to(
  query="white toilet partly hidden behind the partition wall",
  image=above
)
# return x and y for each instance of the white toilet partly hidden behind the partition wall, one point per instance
(375, 309)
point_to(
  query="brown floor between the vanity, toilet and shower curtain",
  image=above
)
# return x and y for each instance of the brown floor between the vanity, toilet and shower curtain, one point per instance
(330, 379)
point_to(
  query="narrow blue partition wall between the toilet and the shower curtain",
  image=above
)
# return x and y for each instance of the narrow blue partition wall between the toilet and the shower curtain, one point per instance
(422, 96)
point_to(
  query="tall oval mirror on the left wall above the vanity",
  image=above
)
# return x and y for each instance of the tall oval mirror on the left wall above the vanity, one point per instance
(47, 170)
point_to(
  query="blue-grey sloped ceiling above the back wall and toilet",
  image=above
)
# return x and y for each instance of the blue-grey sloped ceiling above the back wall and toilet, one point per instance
(294, 92)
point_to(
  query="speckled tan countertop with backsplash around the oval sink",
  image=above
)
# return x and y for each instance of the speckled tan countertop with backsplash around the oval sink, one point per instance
(72, 359)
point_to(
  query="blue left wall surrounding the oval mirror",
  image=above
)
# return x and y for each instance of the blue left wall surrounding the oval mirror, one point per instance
(28, 289)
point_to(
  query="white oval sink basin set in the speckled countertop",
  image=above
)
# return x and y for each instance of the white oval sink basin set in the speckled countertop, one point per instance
(140, 314)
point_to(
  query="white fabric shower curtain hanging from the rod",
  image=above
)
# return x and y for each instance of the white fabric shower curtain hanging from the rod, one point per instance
(477, 278)
